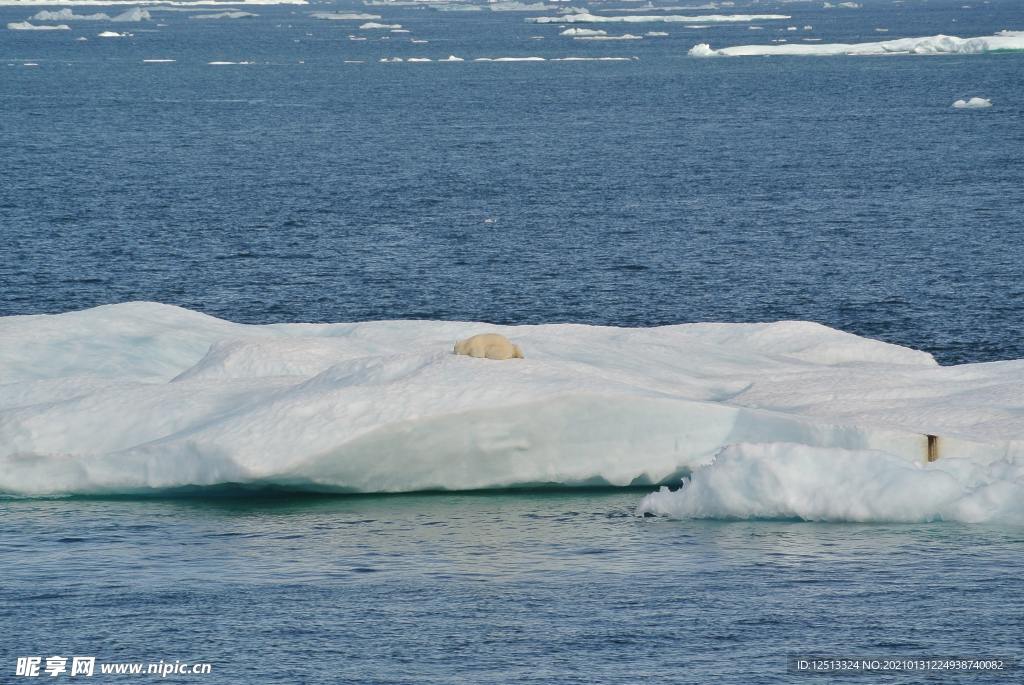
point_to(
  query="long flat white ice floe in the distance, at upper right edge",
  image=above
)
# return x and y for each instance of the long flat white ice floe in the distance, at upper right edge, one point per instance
(927, 46)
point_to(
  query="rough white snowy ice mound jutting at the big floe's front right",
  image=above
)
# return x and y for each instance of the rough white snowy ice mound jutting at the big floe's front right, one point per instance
(796, 482)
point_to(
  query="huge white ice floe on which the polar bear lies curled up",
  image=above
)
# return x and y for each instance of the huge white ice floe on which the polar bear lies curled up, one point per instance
(787, 419)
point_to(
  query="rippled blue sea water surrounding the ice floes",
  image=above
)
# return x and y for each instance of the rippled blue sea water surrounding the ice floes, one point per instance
(655, 191)
